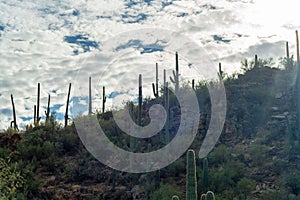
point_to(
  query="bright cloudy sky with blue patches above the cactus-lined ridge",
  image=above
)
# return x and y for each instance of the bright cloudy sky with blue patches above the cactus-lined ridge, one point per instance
(62, 41)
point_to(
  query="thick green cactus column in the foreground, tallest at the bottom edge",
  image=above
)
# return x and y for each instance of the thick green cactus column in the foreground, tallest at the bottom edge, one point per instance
(191, 182)
